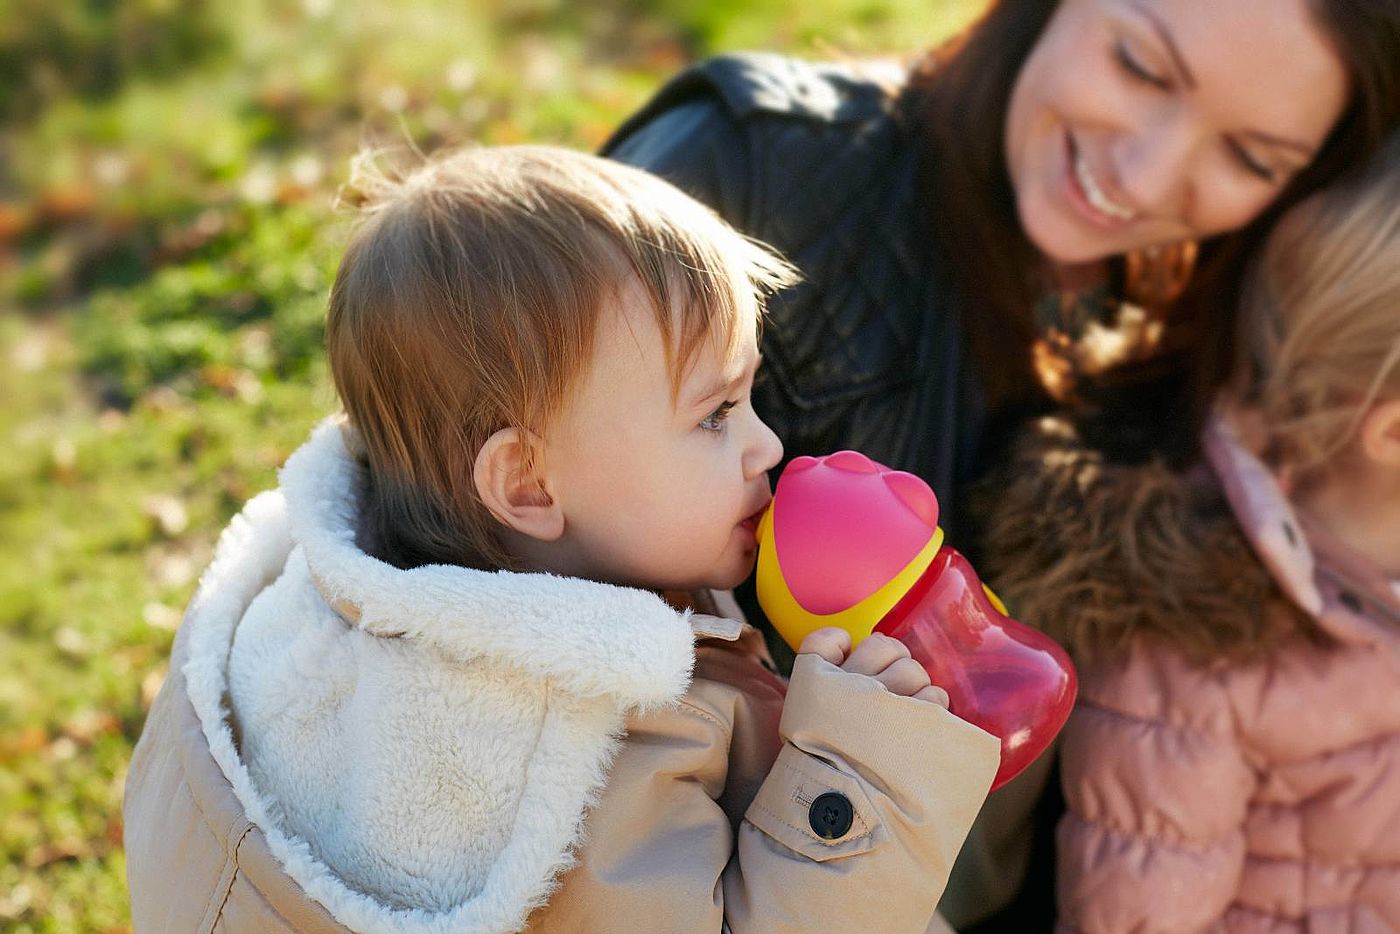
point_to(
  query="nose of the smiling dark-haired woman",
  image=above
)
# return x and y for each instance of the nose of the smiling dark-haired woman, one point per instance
(1156, 166)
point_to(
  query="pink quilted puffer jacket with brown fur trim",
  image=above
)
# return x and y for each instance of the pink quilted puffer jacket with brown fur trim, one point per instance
(1255, 796)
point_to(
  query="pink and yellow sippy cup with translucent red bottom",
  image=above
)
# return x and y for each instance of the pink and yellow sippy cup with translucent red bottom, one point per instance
(849, 543)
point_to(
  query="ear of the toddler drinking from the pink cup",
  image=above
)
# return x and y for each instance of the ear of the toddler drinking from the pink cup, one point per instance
(512, 487)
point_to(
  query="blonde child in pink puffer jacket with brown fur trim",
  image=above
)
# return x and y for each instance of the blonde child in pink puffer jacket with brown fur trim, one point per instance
(1235, 758)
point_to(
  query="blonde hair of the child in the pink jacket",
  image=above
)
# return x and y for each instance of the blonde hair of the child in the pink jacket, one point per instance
(1321, 324)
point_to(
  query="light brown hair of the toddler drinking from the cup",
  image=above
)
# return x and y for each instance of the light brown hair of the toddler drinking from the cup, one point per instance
(468, 300)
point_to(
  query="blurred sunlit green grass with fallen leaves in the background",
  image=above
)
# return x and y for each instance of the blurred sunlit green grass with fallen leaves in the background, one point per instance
(167, 239)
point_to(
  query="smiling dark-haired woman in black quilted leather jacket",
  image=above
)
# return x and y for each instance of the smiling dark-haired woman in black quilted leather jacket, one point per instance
(1056, 207)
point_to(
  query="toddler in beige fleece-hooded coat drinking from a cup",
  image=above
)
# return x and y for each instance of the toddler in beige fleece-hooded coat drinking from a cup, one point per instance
(474, 666)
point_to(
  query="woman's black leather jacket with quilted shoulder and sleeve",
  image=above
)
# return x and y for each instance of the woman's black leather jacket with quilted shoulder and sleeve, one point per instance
(817, 160)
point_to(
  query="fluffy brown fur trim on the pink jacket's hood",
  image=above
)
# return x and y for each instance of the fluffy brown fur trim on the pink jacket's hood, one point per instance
(1098, 555)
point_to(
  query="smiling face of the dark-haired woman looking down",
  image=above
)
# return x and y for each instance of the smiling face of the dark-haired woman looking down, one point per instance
(1161, 131)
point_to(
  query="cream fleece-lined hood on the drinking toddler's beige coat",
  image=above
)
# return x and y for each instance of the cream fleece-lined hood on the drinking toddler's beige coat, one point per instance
(419, 747)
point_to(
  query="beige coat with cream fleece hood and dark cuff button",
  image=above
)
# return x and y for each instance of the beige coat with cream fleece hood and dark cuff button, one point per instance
(703, 816)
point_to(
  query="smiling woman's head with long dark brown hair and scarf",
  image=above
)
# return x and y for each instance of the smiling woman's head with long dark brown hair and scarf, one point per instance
(1088, 152)
